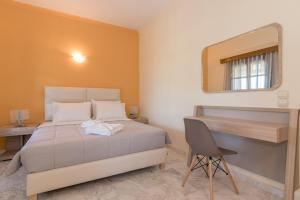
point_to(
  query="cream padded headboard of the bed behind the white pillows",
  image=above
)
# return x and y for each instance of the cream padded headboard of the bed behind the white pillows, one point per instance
(76, 94)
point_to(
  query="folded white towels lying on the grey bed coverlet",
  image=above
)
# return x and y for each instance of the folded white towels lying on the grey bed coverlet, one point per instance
(104, 129)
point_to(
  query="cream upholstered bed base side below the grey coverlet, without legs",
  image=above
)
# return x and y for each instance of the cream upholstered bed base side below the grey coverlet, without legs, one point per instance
(62, 177)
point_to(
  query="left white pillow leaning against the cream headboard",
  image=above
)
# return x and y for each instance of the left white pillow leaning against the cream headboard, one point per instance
(63, 112)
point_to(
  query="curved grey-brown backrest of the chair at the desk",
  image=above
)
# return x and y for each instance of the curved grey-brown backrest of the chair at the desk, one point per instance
(200, 138)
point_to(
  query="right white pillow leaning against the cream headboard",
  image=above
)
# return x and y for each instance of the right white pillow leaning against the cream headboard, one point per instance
(109, 111)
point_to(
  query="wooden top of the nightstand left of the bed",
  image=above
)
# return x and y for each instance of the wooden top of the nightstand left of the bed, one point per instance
(10, 130)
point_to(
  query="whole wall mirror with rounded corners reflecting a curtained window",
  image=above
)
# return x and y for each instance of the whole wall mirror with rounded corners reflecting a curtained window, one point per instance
(251, 61)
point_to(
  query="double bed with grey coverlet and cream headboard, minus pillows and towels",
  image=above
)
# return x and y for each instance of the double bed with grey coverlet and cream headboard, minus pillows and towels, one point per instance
(60, 154)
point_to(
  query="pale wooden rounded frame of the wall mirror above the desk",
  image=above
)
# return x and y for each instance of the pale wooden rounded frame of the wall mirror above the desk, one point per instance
(275, 87)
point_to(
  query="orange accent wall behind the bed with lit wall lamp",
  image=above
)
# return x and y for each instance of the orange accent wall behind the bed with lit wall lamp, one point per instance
(35, 51)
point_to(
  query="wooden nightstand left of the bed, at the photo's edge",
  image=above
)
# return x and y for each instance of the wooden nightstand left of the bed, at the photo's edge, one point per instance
(15, 138)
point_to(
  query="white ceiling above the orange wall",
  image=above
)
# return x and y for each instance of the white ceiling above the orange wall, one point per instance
(125, 13)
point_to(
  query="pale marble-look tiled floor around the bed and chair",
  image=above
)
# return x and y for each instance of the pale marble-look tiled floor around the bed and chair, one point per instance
(146, 184)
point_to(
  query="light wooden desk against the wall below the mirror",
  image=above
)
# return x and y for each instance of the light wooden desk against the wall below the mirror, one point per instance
(260, 130)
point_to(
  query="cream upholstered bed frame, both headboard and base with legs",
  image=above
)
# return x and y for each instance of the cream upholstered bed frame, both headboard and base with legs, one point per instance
(66, 176)
